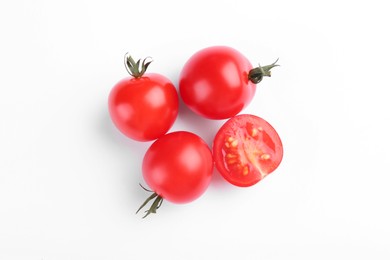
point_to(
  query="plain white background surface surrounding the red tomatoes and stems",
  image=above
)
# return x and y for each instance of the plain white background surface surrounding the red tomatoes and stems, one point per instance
(69, 180)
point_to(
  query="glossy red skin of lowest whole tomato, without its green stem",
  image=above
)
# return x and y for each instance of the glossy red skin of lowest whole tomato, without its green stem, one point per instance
(178, 167)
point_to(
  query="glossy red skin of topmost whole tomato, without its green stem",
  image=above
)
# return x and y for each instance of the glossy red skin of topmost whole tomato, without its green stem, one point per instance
(214, 82)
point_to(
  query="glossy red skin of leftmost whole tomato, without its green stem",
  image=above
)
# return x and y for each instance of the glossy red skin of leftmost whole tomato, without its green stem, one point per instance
(144, 108)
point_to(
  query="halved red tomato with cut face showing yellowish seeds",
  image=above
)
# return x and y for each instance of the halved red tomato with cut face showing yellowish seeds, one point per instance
(246, 149)
